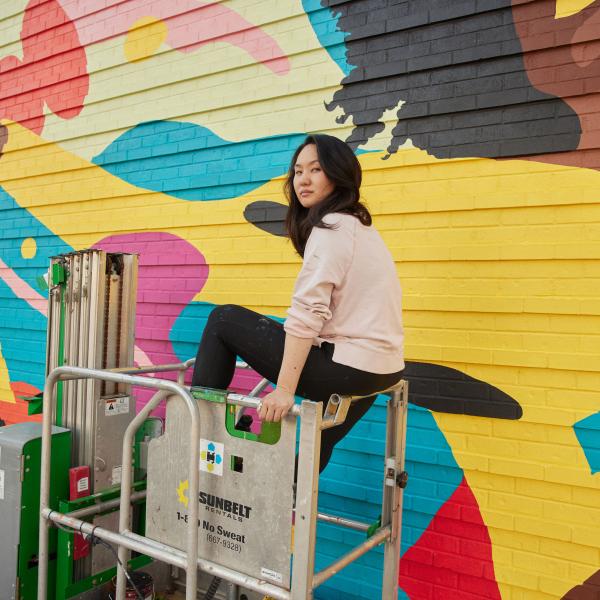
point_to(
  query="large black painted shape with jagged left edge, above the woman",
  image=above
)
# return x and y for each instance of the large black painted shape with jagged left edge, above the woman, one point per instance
(458, 65)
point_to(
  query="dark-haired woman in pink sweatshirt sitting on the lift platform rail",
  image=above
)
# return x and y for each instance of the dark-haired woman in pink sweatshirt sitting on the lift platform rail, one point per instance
(343, 333)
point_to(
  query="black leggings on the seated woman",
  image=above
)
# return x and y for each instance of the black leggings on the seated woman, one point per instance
(236, 331)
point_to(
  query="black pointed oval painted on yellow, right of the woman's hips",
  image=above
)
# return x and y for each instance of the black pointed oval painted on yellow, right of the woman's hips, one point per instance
(442, 389)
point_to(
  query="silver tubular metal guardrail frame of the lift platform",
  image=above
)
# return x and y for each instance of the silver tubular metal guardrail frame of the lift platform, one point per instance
(313, 421)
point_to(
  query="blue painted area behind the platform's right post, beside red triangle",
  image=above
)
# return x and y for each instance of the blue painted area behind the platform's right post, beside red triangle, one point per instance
(351, 486)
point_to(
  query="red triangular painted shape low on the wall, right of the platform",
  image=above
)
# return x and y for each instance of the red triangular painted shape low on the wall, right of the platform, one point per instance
(453, 558)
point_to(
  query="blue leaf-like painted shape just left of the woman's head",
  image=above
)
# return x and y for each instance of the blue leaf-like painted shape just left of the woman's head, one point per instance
(190, 162)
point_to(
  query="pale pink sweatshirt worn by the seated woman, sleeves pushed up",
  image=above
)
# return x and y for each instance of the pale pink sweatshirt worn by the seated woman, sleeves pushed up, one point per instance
(348, 293)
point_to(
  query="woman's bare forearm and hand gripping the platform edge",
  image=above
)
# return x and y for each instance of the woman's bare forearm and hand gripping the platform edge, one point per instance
(277, 404)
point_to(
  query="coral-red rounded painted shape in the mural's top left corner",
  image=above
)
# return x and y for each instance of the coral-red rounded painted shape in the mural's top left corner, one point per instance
(53, 69)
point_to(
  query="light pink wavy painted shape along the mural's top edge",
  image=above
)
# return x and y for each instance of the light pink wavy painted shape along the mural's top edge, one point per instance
(190, 23)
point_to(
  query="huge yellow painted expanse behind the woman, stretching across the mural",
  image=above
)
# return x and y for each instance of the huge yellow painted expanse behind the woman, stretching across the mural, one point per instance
(481, 238)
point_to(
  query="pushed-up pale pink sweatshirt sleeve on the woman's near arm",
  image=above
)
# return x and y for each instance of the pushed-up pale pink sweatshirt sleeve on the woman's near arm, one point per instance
(327, 256)
